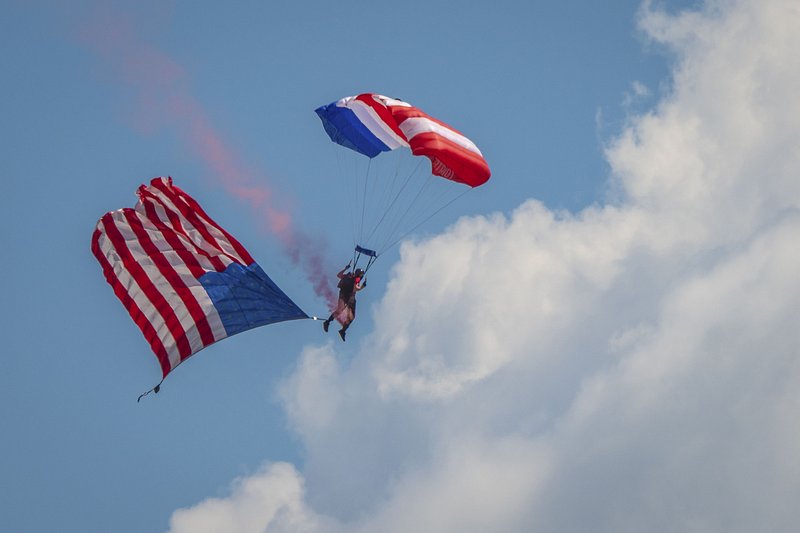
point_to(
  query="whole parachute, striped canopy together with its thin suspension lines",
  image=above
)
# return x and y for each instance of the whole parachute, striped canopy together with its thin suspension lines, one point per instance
(371, 124)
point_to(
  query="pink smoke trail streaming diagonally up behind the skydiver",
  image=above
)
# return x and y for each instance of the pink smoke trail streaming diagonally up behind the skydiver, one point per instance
(163, 98)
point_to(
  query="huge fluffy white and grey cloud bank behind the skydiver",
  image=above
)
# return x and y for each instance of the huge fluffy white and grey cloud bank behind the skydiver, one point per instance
(631, 367)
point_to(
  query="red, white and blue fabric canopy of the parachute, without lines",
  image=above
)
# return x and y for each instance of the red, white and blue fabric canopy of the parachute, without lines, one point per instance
(372, 123)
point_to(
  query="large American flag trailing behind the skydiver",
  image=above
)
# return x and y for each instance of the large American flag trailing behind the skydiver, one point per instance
(185, 281)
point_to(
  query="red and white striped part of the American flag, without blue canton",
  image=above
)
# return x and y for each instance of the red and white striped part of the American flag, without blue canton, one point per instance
(153, 256)
